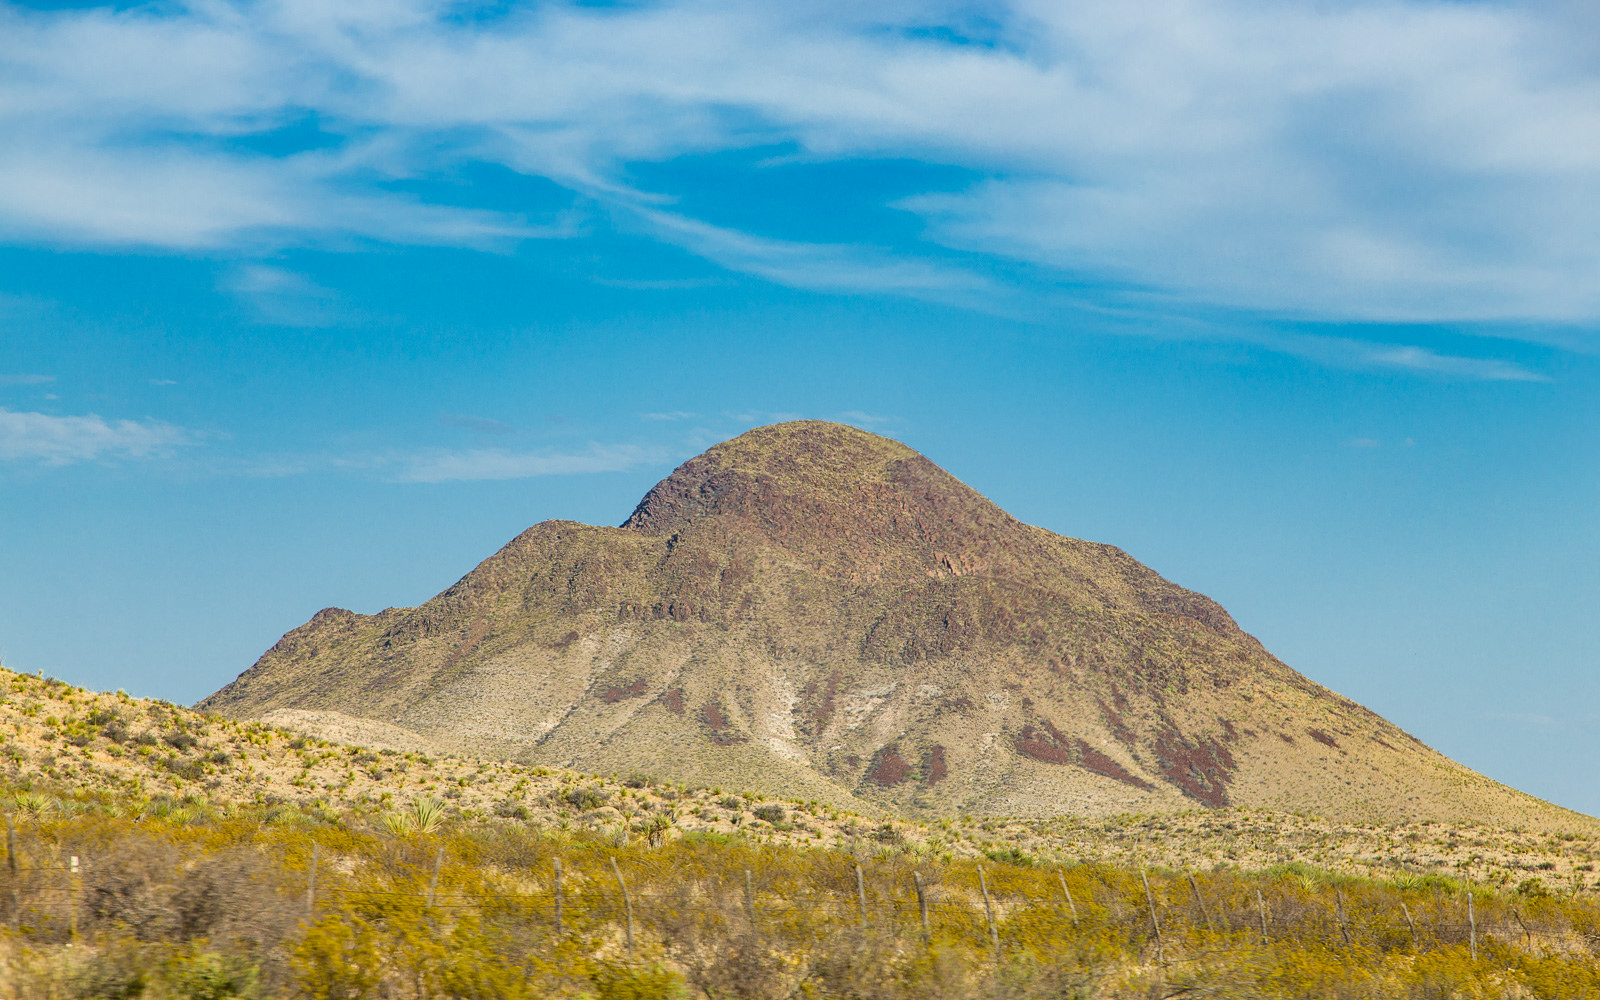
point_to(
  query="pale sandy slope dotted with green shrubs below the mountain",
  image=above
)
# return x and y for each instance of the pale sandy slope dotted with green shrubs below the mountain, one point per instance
(124, 748)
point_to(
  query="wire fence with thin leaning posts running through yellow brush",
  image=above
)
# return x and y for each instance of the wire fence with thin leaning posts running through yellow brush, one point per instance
(62, 890)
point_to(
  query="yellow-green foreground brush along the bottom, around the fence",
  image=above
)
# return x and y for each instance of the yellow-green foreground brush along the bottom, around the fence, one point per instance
(196, 902)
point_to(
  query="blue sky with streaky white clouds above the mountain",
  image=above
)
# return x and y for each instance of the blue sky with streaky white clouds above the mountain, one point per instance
(313, 305)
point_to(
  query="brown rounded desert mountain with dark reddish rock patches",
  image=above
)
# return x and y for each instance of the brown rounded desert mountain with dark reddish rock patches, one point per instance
(818, 612)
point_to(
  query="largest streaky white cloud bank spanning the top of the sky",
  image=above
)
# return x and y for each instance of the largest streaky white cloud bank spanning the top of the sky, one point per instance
(1361, 159)
